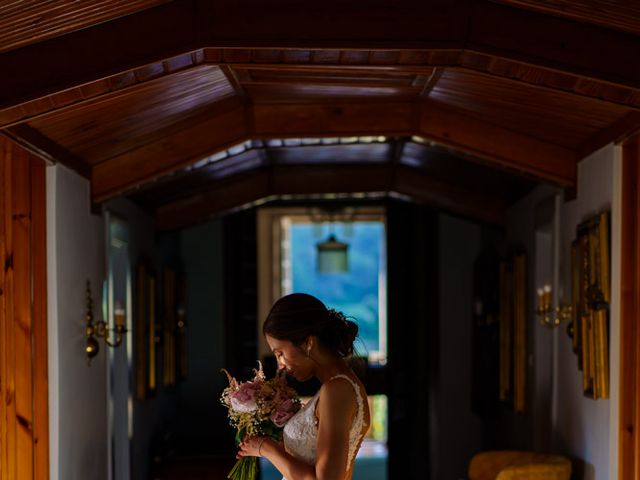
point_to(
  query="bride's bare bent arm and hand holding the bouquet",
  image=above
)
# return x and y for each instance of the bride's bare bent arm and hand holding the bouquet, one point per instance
(336, 409)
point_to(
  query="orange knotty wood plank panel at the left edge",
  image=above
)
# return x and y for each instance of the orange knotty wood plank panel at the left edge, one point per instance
(24, 432)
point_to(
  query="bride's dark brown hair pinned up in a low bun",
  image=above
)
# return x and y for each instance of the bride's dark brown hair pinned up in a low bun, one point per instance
(298, 316)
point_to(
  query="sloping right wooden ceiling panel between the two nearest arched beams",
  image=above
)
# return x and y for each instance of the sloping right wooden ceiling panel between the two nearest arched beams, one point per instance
(556, 117)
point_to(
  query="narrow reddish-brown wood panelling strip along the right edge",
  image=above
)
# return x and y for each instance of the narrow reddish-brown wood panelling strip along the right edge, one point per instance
(629, 434)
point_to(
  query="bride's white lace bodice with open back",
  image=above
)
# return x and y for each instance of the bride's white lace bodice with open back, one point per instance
(301, 431)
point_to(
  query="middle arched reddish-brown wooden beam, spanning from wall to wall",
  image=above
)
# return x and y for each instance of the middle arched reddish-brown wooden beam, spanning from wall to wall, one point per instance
(490, 144)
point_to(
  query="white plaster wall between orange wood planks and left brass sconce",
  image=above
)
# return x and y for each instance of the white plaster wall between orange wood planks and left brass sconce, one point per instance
(77, 391)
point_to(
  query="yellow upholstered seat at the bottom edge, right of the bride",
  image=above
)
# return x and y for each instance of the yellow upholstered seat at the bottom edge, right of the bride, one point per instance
(518, 465)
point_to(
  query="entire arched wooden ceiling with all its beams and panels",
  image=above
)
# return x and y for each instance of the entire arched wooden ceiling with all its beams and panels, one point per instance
(192, 107)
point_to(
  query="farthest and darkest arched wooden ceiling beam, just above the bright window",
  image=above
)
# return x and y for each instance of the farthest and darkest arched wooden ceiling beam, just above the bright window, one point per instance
(279, 181)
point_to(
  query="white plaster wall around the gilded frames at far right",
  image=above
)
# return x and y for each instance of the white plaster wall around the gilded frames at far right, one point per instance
(586, 428)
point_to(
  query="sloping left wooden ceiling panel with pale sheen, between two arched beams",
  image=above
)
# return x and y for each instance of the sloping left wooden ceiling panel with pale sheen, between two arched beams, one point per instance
(106, 128)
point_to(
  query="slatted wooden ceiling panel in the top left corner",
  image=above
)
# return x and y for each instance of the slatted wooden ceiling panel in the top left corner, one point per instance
(24, 22)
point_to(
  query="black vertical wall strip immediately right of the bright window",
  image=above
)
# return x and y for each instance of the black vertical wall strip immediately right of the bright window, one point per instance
(412, 334)
